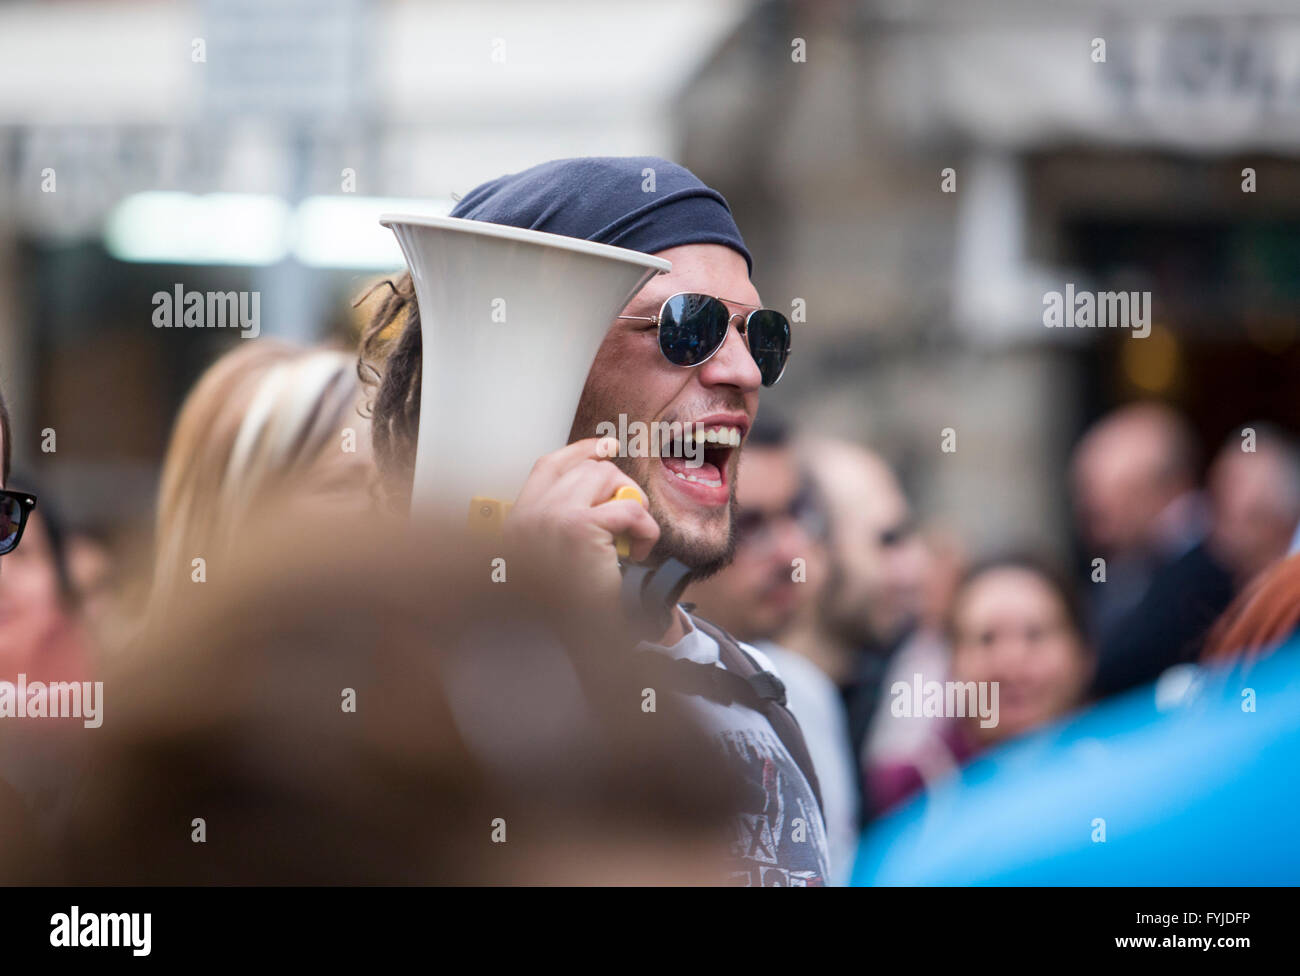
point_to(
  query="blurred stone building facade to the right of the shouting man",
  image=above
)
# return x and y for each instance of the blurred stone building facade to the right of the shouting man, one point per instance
(925, 309)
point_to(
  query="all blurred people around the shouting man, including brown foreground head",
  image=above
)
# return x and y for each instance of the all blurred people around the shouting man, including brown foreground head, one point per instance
(1182, 561)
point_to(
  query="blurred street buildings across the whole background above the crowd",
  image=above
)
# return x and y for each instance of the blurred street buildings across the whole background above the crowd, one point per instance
(233, 145)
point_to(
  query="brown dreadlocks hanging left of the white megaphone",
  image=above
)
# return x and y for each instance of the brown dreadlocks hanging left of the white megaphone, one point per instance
(389, 368)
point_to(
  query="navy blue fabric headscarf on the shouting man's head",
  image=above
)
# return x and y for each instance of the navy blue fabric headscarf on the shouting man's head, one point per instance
(605, 199)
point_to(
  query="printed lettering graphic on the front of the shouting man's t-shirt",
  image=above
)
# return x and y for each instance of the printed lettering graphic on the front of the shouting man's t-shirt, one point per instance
(779, 839)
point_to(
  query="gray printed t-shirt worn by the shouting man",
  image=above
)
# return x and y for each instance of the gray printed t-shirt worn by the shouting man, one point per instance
(779, 839)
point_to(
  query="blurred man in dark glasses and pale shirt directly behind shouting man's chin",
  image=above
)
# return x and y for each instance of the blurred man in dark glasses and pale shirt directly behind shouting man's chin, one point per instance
(778, 567)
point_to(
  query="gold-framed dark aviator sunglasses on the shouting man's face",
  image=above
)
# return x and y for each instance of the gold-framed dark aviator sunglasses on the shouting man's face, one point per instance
(692, 328)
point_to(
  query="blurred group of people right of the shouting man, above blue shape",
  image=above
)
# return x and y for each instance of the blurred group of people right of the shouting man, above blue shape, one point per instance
(1175, 570)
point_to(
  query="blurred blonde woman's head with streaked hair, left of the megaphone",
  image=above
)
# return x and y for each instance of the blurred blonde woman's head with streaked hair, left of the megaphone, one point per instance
(267, 424)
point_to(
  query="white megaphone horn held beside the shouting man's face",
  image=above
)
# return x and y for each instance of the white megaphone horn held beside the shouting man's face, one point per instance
(510, 322)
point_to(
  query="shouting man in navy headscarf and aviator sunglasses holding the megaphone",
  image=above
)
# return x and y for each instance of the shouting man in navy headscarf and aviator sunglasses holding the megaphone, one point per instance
(695, 348)
